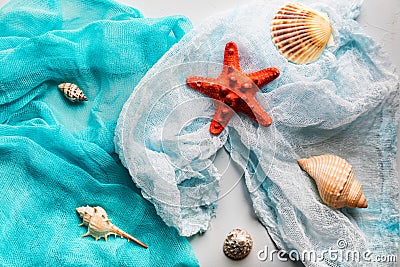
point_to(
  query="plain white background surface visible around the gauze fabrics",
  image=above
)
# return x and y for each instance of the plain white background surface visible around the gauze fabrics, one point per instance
(380, 19)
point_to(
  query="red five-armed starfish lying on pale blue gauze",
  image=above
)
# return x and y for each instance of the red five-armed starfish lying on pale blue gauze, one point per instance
(233, 91)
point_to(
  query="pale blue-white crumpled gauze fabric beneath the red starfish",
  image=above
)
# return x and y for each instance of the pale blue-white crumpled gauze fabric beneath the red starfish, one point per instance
(345, 103)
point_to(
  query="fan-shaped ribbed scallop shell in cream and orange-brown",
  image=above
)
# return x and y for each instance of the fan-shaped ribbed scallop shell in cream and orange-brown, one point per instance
(300, 33)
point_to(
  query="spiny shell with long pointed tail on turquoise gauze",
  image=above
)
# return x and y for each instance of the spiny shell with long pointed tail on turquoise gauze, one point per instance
(96, 219)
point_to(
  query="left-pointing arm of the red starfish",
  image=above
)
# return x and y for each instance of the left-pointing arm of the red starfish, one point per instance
(207, 86)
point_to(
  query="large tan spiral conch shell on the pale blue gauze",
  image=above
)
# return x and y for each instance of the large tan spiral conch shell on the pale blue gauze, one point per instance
(335, 181)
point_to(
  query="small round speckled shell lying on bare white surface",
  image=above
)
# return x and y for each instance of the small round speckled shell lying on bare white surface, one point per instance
(238, 244)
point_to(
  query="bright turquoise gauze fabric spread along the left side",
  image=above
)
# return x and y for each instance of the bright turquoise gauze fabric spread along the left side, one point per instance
(56, 155)
